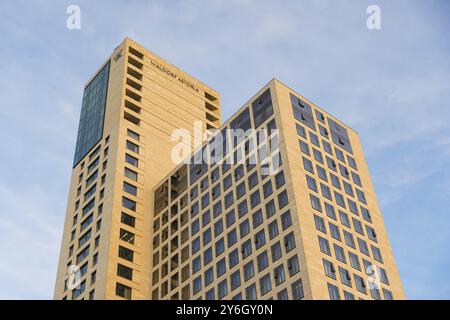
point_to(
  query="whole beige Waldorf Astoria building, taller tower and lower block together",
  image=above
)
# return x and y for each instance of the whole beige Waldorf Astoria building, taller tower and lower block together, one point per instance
(275, 204)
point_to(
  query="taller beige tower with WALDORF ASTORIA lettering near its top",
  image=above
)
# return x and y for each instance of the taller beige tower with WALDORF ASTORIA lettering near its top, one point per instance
(130, 108)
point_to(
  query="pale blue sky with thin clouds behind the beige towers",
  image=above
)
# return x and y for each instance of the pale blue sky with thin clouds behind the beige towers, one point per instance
(391, 85)
